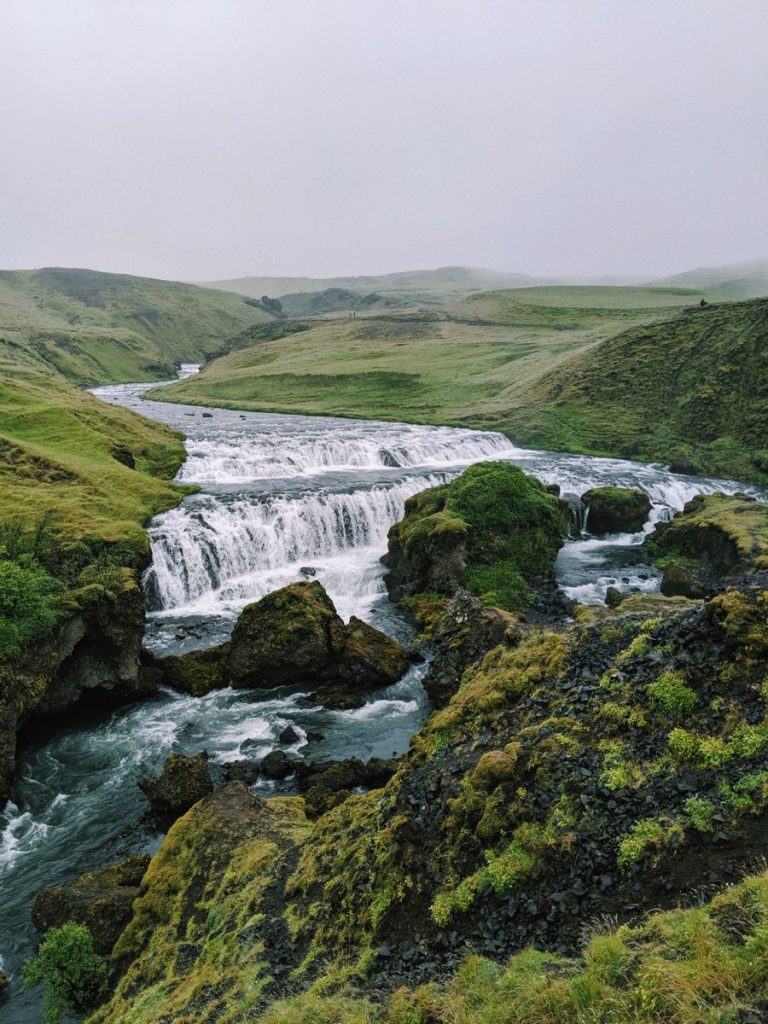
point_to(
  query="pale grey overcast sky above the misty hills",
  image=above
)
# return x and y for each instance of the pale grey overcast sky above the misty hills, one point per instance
(203, 140)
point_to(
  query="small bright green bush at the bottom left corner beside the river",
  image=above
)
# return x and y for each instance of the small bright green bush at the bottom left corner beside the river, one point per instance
(72, 973)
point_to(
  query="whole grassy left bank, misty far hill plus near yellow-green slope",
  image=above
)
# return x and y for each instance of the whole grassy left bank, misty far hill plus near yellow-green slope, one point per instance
(59, 446)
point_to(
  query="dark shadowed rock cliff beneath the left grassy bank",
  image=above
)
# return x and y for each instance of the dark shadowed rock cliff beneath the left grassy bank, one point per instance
(94, 657)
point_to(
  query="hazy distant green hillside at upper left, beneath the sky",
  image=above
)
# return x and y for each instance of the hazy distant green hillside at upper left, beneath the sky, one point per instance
(97, 328)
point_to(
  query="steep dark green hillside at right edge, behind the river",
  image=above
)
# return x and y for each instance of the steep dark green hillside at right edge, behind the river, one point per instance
(694, 391)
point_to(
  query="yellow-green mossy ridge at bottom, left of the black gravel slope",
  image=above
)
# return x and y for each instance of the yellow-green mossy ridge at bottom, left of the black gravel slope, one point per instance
(207, 938)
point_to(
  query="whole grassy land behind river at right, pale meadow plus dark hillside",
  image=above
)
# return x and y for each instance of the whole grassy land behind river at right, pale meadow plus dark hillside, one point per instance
(636, 372)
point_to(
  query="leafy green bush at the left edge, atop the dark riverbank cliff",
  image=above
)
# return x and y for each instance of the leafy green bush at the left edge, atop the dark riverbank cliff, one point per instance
(30, 606)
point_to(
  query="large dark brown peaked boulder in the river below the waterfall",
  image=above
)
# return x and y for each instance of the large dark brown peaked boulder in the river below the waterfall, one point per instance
(294, 634)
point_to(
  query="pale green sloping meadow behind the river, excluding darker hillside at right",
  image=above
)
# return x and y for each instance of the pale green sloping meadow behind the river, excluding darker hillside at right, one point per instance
(473, 363)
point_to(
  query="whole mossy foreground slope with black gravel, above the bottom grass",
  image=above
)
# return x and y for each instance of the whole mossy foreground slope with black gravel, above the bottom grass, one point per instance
(605, 770)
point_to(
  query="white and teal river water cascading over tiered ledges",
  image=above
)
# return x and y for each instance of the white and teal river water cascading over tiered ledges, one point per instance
(282, 498)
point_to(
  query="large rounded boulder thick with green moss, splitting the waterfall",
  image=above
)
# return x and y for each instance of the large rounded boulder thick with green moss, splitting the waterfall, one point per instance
(494, 531)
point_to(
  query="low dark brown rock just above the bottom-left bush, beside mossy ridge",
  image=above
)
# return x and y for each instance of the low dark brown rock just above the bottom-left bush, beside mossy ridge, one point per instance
(101, 901)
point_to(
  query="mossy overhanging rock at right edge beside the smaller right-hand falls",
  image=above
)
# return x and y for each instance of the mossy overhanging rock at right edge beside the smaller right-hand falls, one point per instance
(715, 537)
